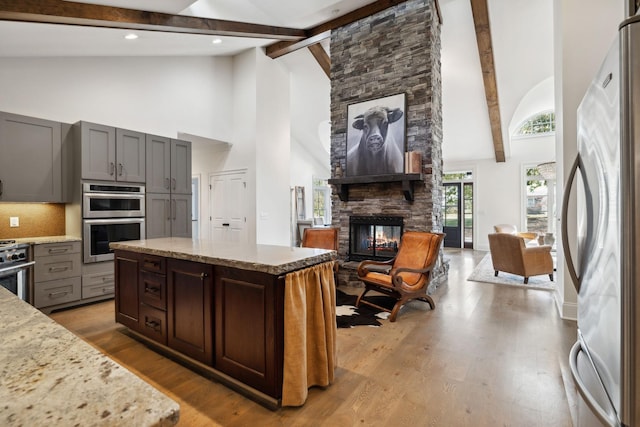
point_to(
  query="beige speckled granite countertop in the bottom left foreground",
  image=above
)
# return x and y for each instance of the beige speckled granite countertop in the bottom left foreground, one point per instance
(52, 377)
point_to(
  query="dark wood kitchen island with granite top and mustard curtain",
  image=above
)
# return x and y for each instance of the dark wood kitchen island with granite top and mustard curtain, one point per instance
(258, 318)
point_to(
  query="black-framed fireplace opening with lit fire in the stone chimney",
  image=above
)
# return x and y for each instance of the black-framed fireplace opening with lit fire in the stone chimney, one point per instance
(374, 237)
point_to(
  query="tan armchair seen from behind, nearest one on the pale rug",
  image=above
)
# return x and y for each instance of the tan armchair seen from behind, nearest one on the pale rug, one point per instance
(510, 254)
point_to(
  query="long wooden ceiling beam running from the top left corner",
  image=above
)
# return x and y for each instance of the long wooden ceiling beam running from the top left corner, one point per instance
(71, 13)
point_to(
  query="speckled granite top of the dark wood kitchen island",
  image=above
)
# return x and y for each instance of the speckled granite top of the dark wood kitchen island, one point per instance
(269, 259)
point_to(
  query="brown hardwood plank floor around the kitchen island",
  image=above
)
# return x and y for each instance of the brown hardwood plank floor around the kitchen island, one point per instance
(488, 355)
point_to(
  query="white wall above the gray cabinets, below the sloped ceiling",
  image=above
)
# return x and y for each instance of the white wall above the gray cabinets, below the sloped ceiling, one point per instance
(154, 95)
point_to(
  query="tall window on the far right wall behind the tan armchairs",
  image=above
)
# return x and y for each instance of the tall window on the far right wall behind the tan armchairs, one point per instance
(536, 201)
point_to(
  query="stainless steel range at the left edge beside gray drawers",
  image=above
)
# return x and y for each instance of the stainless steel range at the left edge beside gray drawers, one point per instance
(15, 268)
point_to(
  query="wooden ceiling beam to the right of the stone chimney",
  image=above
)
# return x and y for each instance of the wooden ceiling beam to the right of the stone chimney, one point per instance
(485, 49)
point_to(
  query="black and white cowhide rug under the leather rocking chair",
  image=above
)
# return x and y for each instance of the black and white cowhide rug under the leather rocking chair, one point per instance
(348, 315)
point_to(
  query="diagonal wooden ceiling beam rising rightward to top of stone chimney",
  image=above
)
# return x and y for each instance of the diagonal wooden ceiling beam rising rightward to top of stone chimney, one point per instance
(323, 31)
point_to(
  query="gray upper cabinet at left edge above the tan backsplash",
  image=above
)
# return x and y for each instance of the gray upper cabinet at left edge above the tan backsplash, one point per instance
(31, 159)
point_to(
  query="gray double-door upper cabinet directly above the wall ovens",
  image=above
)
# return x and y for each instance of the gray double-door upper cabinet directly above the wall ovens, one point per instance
(111, 154)
